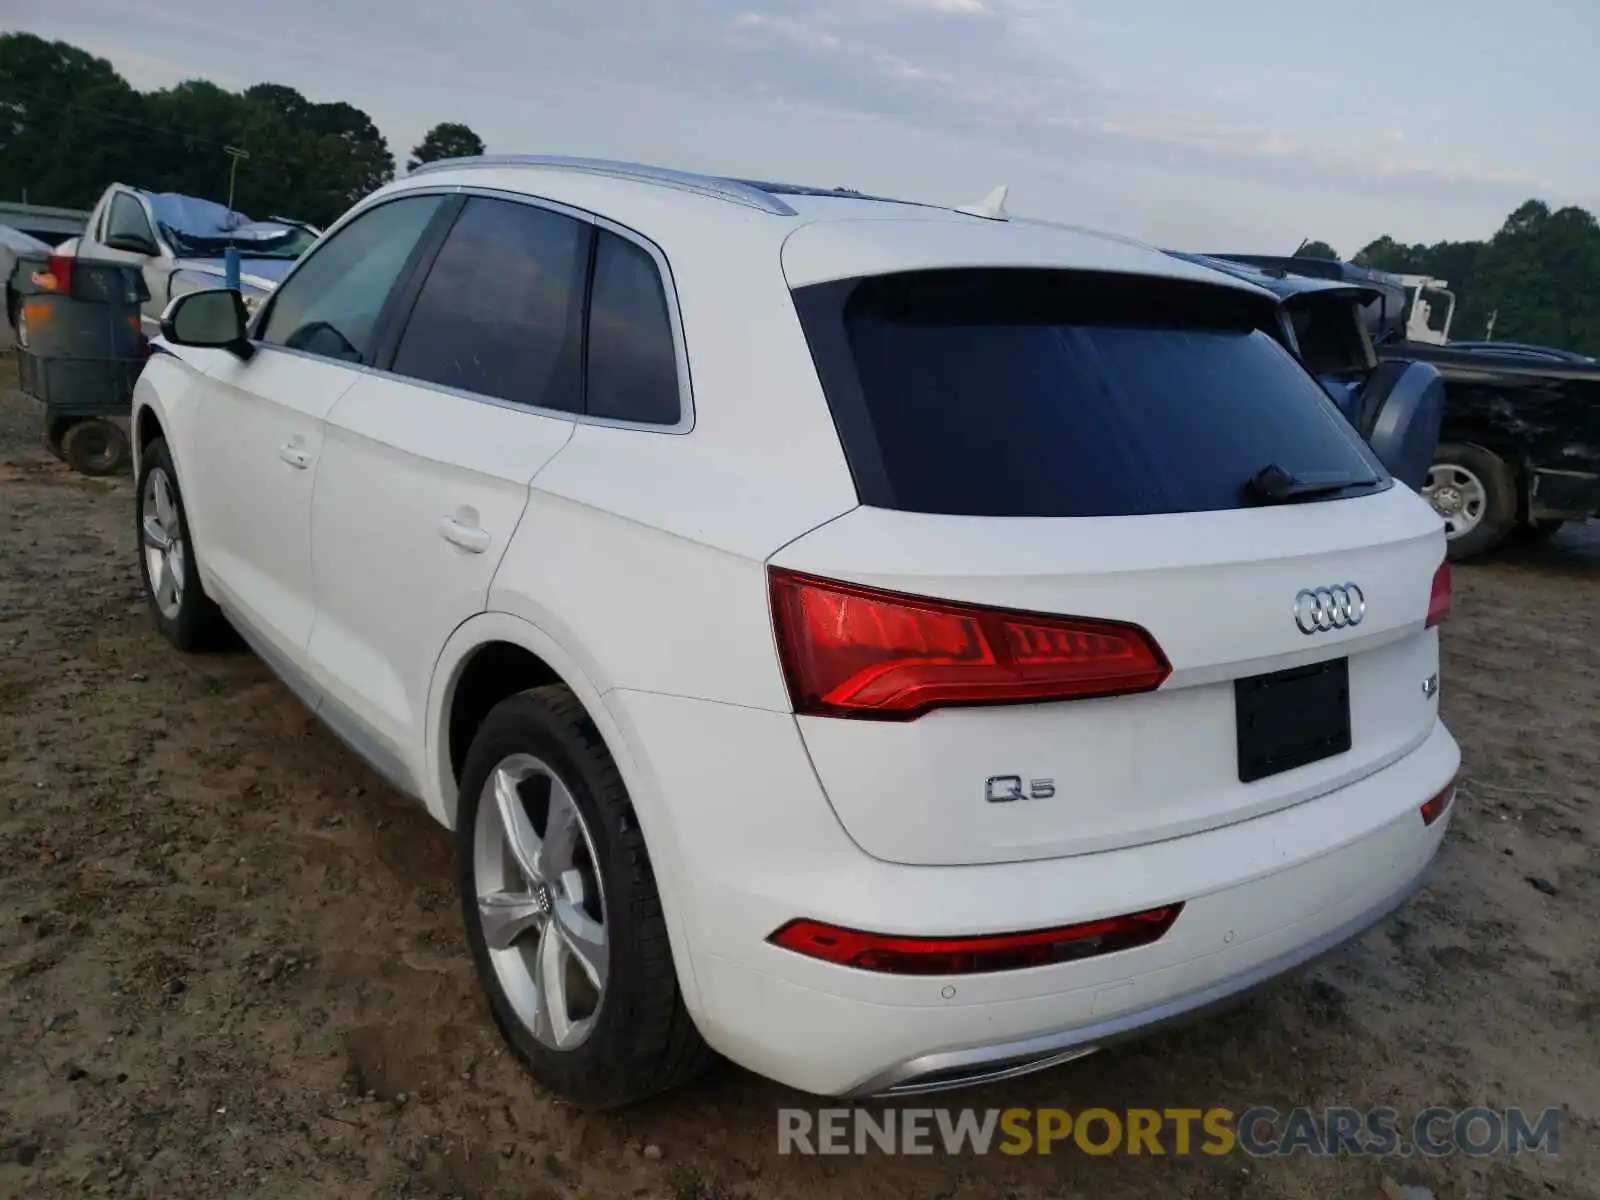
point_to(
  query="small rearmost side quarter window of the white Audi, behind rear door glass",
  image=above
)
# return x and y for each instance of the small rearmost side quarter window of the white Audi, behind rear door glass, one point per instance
(633, 359)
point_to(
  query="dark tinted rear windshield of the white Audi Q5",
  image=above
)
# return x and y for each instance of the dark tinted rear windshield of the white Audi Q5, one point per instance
(1068, 394)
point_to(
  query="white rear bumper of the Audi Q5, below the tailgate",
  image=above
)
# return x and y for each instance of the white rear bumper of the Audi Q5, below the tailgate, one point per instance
(753, 844)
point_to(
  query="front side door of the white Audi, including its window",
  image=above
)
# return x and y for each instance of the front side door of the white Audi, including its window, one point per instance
(260, 423)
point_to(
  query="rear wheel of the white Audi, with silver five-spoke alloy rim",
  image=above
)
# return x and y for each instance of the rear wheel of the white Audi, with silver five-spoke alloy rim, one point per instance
(639, 1039)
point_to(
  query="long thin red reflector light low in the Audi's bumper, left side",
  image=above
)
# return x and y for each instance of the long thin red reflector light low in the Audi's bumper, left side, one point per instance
(972, 956)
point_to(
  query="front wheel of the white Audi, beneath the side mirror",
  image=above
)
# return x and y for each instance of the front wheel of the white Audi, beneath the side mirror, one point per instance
(185, 615)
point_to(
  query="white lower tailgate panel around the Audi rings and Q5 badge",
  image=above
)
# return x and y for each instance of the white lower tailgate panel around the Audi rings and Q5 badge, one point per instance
(1127, 769)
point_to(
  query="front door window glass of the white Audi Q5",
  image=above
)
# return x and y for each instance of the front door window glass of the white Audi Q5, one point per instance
(330, 306)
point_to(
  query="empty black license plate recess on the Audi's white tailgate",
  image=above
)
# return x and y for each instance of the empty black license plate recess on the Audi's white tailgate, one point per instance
(1292, 718)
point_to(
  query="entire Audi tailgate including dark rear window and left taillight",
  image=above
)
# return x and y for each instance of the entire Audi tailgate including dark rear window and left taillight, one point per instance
(1046, 446)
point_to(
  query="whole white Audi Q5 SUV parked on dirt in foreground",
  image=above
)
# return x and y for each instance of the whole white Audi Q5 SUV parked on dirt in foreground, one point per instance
(887, 646)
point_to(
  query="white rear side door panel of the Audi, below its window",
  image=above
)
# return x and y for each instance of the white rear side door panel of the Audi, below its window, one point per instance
(406, 468)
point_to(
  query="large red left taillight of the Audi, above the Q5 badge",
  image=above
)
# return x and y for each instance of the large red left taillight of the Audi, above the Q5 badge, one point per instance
(858, 652)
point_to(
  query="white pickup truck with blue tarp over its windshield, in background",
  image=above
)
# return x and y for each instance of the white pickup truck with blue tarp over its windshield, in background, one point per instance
(180, 239)
